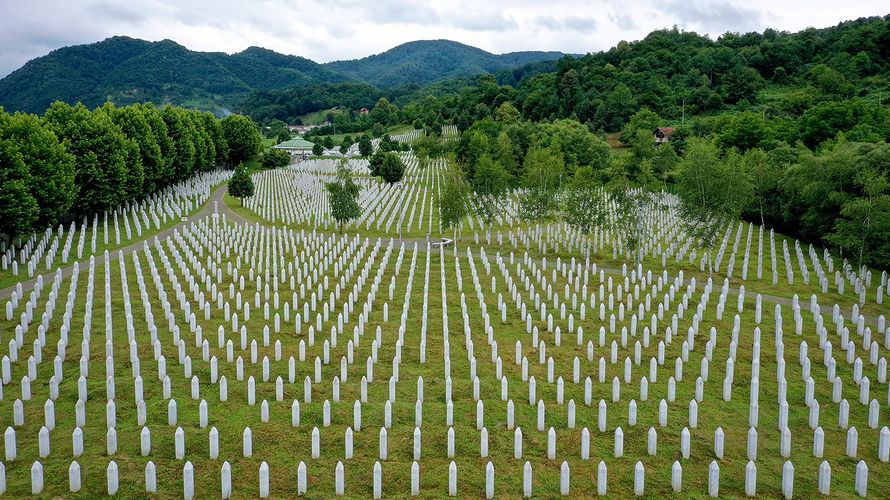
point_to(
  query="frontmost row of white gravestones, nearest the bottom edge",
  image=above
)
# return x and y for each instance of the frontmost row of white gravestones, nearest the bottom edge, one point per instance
(75, 480)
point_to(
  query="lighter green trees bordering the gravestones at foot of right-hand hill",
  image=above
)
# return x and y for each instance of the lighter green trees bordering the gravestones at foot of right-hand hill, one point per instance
(837, 195)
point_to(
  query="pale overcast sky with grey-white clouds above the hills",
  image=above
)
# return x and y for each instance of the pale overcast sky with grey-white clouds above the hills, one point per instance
(327, 30)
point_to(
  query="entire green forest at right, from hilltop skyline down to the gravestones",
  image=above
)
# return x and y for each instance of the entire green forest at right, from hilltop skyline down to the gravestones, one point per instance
(794, 126)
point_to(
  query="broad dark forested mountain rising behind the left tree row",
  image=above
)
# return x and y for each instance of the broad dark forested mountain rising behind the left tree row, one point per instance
(126, 70)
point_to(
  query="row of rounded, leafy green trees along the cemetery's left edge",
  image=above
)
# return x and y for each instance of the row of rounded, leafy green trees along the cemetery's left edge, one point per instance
(76, 161)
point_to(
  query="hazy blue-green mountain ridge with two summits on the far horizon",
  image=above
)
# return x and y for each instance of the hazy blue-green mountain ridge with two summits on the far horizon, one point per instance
(126, 70)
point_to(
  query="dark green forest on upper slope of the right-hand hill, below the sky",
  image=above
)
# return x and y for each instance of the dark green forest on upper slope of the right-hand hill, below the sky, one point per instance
(675, 73)
